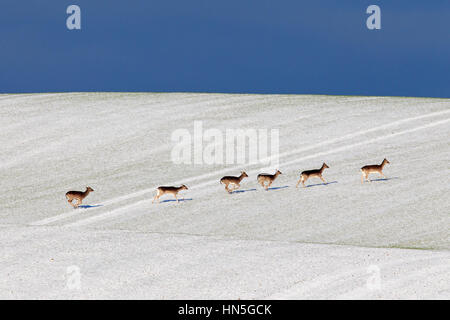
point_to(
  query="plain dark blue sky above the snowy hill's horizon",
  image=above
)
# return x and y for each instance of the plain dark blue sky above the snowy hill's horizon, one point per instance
(276, 46)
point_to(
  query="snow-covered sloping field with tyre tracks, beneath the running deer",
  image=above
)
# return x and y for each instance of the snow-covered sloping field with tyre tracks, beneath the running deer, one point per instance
(385, 239)
